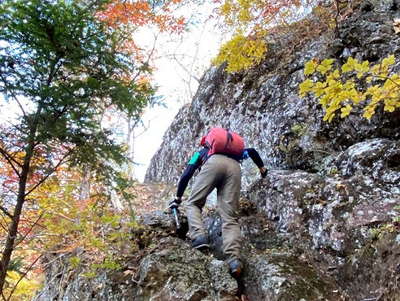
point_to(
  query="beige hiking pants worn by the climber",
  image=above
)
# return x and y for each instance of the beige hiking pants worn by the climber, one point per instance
(223, 173)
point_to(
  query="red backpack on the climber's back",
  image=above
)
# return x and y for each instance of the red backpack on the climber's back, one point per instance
(223, 141)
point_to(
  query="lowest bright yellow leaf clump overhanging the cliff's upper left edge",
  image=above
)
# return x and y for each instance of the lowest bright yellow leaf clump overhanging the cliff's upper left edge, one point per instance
(241, 53)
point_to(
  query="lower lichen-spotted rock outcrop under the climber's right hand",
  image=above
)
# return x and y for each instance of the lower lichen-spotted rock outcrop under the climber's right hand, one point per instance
(329, 219)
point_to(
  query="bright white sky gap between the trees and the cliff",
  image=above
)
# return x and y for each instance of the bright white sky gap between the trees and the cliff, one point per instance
(194, 50)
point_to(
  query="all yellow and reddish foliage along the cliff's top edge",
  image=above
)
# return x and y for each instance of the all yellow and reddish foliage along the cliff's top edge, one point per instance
(252, 21)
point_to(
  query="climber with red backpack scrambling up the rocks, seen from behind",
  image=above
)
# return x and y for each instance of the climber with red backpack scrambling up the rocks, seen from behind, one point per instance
(218, 162)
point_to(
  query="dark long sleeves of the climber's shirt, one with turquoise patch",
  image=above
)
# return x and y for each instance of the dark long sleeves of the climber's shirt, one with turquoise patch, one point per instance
(200, 157)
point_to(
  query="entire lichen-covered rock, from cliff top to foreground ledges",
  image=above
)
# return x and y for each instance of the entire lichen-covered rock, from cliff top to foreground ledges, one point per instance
(323, 225)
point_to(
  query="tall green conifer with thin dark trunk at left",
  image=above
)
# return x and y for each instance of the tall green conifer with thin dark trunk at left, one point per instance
(63, 68)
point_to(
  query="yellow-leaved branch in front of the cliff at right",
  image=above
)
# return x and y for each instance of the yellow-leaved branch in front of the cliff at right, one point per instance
(353, 84)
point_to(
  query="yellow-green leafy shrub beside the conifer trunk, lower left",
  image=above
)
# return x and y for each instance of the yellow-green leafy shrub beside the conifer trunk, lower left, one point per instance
(70, 221)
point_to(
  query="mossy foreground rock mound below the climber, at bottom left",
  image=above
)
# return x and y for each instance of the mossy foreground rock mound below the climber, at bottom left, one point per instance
(170, 270)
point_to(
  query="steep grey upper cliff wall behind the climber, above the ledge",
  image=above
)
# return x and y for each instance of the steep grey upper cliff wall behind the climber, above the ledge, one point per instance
(263, 104)
